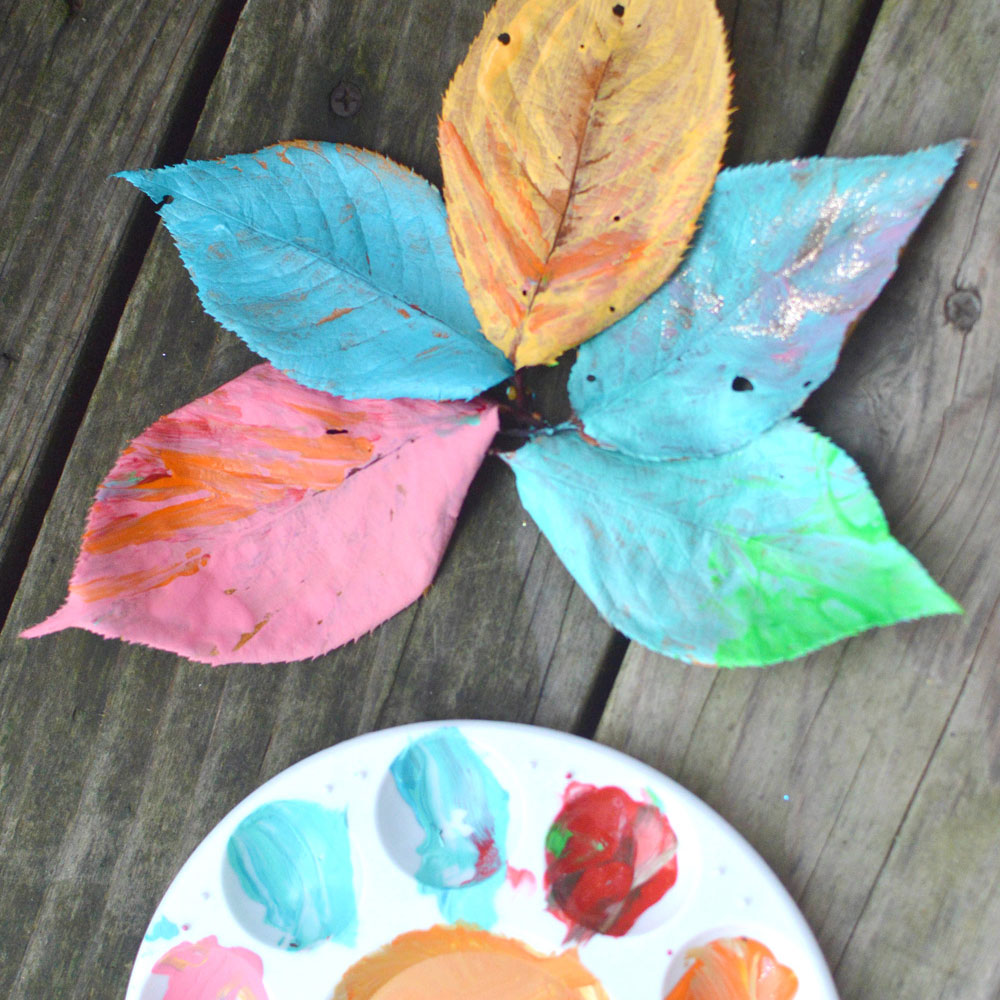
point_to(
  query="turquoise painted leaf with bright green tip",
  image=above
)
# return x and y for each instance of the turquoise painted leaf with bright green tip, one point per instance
(757, 556)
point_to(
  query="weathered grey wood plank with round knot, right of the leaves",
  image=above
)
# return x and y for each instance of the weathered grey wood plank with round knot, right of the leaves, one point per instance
(887, 835)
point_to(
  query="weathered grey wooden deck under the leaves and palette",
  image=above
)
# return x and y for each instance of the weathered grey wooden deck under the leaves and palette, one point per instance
(867, 775)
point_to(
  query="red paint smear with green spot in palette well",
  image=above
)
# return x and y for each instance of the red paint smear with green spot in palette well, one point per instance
(608, 859)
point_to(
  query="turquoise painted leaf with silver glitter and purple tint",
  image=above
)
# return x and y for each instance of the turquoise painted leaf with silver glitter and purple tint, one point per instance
(787, 258)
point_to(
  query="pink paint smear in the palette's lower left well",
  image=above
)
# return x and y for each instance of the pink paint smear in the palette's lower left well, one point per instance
(208, 971)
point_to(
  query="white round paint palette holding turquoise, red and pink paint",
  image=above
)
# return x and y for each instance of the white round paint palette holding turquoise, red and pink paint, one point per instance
(513, 829)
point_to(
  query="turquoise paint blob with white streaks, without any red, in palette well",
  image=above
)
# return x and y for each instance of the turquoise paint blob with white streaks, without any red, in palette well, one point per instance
(294, 858)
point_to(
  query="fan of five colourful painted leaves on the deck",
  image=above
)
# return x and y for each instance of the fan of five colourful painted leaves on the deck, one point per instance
(297, 507)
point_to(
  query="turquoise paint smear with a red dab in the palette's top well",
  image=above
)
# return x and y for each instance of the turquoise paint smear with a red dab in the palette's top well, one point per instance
(463, 811)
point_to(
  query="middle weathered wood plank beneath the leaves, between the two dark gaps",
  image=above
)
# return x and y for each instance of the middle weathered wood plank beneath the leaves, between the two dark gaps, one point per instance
(118, 760)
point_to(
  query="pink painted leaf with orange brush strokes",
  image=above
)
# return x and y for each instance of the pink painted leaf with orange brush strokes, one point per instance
(268, 522)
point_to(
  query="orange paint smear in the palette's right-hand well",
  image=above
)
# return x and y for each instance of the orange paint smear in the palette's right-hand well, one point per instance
(735, 969)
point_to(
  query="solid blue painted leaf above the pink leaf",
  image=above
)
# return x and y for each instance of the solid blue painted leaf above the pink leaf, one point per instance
(333, 263)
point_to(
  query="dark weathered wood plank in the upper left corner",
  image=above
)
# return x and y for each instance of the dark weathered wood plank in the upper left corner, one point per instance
(82, 87)
